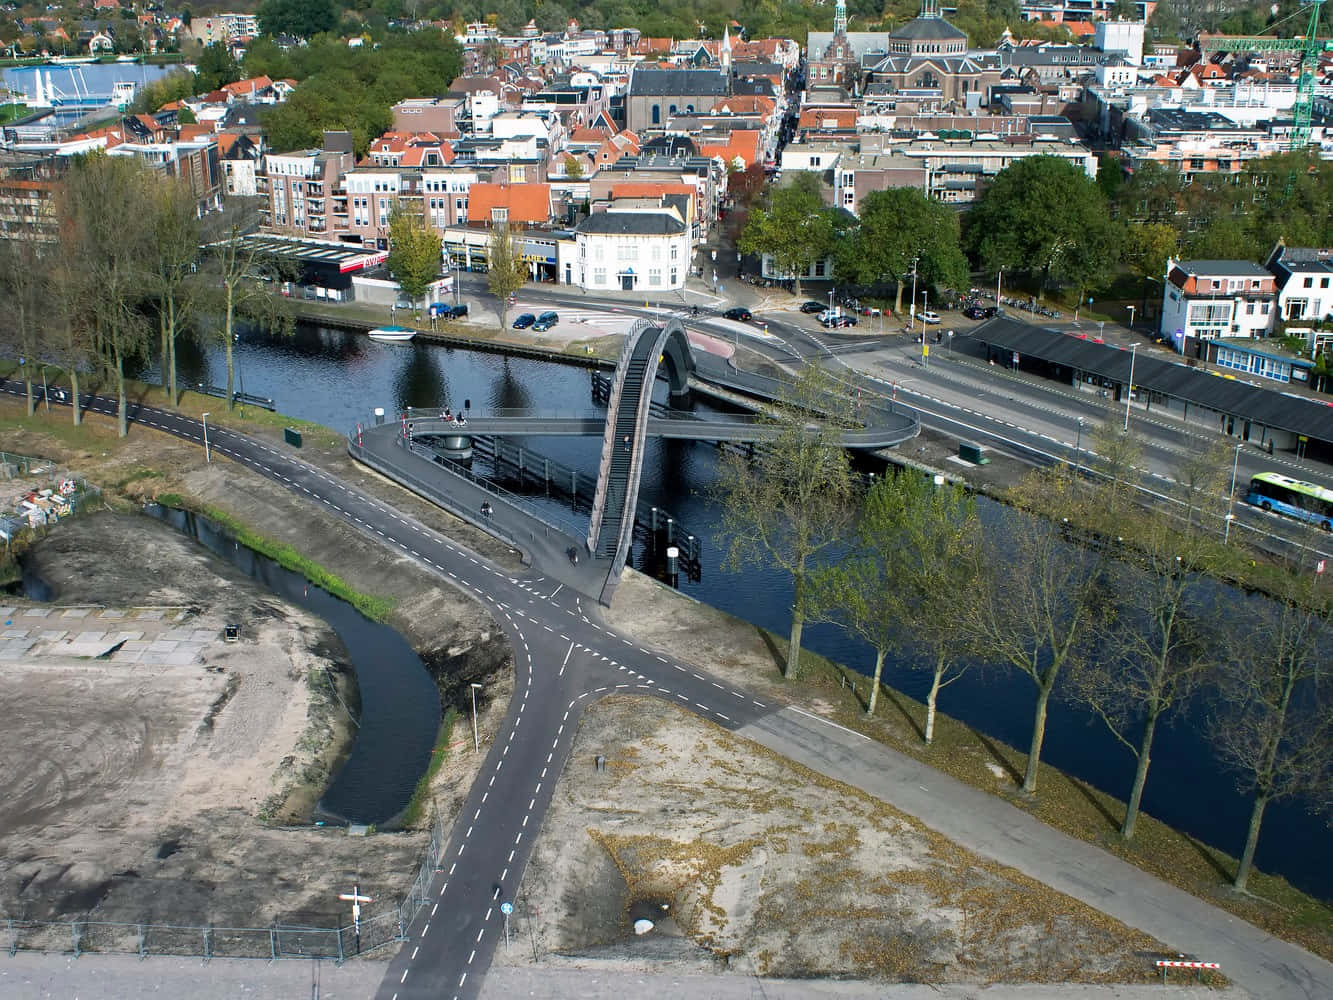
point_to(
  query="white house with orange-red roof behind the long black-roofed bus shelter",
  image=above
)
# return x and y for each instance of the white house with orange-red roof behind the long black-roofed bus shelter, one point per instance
(1210, 299)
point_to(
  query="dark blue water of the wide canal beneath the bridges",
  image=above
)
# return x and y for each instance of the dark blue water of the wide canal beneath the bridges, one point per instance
(338, 379)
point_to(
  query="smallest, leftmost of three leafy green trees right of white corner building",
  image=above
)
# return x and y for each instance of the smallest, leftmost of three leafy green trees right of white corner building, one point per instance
(795, 227)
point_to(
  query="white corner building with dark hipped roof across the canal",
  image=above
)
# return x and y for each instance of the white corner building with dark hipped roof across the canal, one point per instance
(633, 251)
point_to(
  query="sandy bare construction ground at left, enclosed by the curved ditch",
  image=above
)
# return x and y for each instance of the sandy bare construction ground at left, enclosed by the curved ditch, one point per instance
(135, 790)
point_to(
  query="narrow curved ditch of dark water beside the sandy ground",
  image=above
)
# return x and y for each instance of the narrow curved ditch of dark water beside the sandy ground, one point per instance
(401, 709)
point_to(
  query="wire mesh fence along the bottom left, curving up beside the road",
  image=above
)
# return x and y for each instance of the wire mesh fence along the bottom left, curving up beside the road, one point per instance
(209, 942)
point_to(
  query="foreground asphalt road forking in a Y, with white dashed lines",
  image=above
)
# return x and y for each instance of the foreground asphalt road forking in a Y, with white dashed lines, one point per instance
(565, 659)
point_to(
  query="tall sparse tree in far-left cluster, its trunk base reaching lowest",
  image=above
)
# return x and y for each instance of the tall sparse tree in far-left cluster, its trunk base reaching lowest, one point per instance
(113, 247)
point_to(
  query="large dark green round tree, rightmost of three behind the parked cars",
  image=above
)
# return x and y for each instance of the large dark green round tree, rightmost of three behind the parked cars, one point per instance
(1046, 217)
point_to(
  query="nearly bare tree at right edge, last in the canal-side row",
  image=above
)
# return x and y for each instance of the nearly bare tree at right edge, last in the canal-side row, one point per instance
(1272, 726)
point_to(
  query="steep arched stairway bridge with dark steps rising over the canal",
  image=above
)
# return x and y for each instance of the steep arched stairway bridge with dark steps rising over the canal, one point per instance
(613, 529)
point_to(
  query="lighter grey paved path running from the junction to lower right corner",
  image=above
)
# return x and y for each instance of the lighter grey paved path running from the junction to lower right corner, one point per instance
(1260, 965)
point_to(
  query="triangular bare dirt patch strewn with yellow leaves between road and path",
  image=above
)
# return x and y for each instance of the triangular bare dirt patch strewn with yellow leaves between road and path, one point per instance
(740, 855)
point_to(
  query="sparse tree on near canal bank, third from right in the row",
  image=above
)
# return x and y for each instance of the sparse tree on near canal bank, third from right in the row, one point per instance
(1039, 597)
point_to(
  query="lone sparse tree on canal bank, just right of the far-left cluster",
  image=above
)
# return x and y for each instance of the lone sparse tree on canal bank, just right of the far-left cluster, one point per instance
(243, 274)
